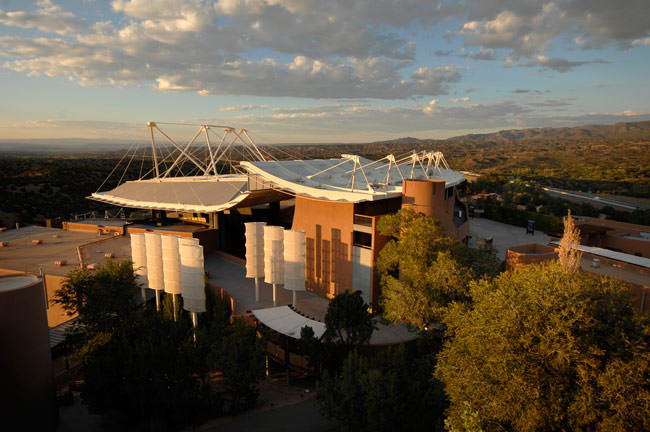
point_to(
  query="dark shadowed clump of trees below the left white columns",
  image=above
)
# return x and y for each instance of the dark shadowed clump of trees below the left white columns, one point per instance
(142, 370)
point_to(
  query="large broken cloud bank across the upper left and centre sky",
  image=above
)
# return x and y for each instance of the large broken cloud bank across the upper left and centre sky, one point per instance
(316, 50)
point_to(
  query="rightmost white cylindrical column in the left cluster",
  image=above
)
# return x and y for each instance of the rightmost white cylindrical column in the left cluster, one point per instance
(192, 277)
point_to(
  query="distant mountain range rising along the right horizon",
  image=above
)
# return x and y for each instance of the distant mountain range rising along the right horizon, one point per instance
(634, 130)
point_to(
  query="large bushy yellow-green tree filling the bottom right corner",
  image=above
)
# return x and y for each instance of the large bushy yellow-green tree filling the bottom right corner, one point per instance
(541, 349)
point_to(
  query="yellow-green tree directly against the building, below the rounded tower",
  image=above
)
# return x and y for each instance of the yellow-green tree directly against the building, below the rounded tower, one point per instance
(422, 270)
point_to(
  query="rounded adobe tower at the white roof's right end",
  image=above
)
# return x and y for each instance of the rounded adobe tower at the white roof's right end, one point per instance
(428, 196)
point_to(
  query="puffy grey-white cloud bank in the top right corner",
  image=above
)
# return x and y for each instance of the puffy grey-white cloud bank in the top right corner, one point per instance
(528, 28)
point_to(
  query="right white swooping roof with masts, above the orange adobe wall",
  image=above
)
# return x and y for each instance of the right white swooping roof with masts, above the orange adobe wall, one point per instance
(344, 179)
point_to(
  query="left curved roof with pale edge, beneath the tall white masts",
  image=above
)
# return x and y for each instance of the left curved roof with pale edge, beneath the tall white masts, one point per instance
(194, 194)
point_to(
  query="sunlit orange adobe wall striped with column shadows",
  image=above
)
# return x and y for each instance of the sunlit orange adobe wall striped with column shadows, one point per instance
(328, 226)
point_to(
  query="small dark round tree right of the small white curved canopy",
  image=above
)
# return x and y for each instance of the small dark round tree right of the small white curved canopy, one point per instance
(347, 320)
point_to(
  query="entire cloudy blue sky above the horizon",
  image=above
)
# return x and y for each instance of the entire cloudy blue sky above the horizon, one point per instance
(320, 71)
